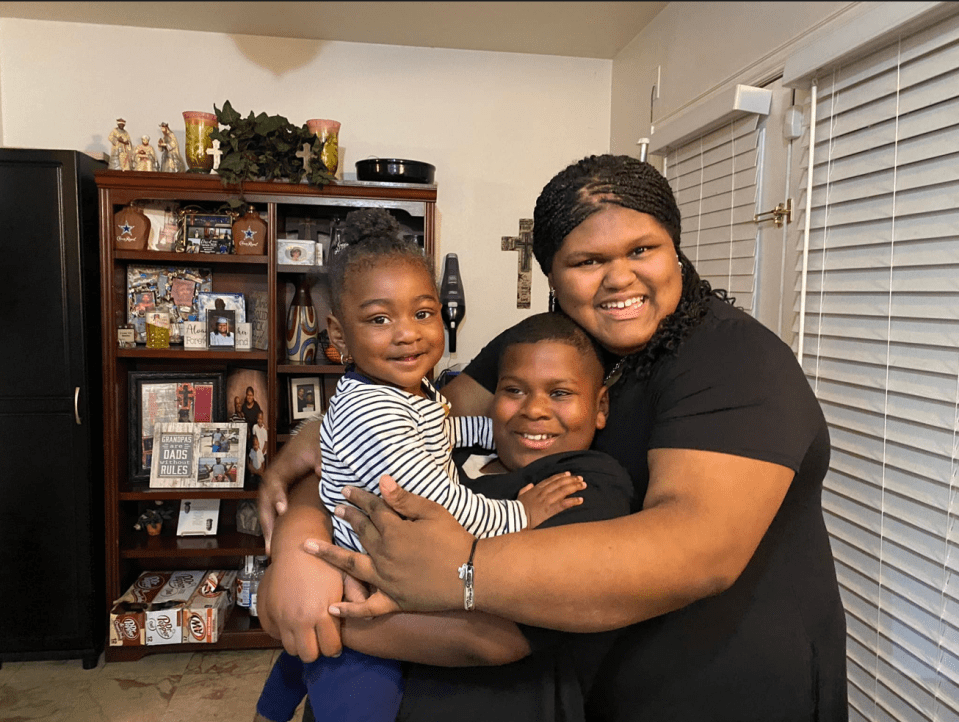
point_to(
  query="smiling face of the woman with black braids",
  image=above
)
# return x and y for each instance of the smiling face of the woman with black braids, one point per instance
(617, 275)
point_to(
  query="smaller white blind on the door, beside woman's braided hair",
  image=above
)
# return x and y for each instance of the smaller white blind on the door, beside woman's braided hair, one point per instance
(715, 179)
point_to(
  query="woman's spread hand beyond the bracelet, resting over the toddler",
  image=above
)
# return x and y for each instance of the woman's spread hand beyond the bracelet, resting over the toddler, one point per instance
(412, 562)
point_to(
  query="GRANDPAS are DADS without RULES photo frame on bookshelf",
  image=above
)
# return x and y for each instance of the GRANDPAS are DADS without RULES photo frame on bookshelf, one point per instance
(209, 455)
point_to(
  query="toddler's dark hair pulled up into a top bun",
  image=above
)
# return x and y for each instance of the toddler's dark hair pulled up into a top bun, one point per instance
(370, 235)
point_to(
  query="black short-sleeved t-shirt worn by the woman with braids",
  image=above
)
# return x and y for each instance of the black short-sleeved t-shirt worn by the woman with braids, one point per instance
(772, 646)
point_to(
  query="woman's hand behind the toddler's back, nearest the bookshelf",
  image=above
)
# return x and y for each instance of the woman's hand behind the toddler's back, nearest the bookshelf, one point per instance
(298, 457)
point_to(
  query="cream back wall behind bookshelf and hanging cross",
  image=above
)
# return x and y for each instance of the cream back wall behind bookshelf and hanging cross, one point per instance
(497, 126)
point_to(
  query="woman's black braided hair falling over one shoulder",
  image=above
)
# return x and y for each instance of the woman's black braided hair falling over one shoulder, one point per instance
(587, 187)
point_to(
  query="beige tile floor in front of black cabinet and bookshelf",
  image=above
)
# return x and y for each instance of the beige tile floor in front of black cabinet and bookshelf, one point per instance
(217, 686)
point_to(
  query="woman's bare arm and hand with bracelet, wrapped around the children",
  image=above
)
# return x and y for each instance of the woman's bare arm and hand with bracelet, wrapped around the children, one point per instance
(703, 518)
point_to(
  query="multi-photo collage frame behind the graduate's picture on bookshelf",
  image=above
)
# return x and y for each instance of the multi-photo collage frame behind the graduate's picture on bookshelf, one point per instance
(172, 290)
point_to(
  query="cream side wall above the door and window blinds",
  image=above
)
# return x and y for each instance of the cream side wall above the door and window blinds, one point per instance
(700, 47)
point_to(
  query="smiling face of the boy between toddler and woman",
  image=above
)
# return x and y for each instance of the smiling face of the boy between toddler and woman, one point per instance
(549, 398)
